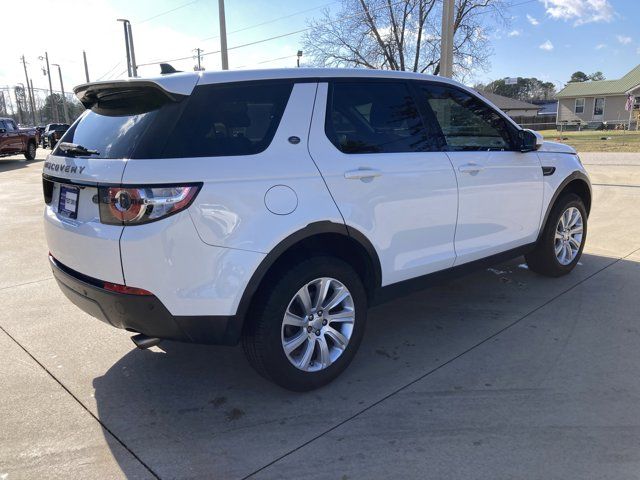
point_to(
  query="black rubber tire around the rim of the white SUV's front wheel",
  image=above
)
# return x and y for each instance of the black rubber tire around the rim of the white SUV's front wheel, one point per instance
(543, 258)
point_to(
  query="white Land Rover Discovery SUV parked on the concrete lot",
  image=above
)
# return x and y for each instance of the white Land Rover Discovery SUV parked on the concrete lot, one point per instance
(275, 206)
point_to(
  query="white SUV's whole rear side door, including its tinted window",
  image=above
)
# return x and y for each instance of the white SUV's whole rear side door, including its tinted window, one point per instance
(387, 178)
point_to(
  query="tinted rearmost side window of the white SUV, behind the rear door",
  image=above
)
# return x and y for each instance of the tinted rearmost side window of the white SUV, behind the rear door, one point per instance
(237, 119)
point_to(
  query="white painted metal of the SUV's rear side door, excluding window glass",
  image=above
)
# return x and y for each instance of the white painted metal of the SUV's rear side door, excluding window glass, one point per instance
(408, 213)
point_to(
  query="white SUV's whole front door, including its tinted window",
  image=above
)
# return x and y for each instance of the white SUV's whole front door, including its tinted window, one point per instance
(500, 187)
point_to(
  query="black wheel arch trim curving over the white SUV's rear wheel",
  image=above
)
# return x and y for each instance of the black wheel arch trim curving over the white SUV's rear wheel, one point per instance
(311, 230)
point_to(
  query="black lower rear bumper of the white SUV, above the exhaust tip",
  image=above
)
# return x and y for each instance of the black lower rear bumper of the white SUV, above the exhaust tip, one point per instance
(142, 313)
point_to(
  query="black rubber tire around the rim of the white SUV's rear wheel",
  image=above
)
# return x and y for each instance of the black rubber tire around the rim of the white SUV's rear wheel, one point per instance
(262, 339)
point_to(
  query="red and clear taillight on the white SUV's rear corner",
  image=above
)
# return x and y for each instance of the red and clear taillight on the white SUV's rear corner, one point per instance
(138, 205)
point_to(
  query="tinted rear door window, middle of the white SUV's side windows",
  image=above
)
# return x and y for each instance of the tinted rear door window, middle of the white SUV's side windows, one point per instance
(374, 117)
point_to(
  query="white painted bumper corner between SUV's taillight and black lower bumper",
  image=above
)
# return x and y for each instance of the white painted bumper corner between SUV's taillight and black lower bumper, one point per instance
(188, 276)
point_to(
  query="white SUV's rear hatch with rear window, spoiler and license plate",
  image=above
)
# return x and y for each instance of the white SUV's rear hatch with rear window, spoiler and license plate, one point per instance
(123, 120)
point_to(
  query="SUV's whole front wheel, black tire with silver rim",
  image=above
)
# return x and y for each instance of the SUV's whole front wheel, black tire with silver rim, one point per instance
(560, 246)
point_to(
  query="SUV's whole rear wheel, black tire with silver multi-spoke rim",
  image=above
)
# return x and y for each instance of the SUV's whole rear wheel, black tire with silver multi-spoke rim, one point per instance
(305, 328)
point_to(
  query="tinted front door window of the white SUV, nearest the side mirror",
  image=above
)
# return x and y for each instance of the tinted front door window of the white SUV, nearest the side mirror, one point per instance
(466, 122)
